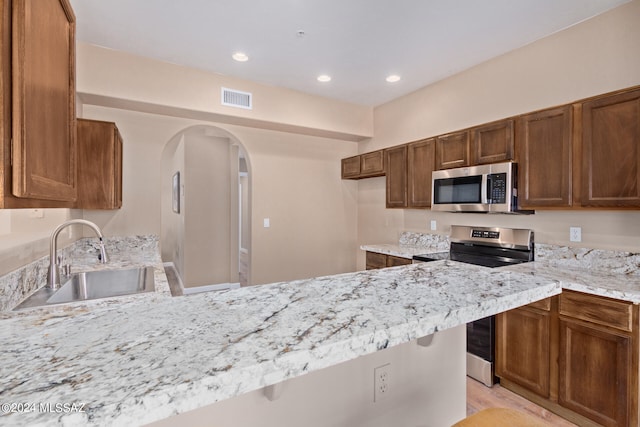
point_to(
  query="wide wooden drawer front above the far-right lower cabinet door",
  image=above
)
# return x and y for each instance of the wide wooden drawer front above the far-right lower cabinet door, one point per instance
(599, 310)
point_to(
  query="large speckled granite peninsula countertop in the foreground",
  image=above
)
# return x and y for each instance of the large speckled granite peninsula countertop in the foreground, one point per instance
(140, 361)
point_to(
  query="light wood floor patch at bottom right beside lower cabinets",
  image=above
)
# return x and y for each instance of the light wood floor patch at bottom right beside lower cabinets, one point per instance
(480, 397)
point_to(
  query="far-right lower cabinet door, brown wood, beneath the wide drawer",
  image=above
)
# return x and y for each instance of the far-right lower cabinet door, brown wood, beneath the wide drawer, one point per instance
(596, 372)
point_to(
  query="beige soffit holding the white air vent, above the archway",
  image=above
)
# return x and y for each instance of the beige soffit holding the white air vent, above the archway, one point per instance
(115, 78)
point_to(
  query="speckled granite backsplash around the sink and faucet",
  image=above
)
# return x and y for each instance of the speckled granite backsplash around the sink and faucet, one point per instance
(83, 255)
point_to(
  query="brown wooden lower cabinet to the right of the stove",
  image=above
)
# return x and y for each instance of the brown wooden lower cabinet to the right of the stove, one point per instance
(579, 358)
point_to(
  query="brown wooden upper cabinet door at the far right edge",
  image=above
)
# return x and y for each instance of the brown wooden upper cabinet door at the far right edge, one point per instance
(611, 151)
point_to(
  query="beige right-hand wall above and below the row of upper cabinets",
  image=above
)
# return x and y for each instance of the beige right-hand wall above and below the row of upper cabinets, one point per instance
(596, 56)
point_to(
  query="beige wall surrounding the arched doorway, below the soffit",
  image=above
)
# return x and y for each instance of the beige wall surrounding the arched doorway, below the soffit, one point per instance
(295, 181)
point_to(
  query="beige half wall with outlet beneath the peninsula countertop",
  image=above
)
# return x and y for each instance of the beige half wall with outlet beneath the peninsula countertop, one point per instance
(426, 388)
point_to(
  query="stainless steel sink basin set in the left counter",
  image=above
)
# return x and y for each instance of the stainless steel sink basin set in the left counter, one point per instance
(94, 285)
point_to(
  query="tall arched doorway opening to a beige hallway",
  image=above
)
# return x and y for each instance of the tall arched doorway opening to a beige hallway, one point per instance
(206, 208)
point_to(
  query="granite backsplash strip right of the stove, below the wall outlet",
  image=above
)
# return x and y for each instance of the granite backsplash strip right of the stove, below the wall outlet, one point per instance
(598, 259)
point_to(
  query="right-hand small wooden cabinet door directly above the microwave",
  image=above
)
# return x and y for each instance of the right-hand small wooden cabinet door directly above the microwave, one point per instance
(493, 142)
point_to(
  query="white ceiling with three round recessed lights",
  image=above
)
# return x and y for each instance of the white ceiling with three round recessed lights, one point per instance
(357, 42)
